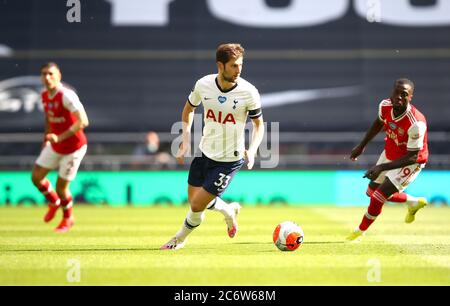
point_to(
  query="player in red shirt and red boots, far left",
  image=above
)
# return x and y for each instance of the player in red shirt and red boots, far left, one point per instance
(64, 144)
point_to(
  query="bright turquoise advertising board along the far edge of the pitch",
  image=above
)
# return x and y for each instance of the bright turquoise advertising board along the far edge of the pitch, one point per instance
(169, 188)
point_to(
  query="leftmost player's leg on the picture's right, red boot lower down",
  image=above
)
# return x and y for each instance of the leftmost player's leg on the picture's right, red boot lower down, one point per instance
(68, 169)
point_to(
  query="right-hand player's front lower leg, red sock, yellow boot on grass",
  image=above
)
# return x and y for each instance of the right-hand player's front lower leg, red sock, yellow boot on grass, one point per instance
(377, 200)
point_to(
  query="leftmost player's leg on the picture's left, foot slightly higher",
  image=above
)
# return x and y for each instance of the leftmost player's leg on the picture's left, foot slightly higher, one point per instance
(47, 160)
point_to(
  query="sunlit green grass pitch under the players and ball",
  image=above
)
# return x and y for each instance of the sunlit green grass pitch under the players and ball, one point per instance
(119, 246)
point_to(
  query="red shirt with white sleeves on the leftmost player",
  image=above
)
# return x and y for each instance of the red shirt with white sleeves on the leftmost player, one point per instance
(59, 110)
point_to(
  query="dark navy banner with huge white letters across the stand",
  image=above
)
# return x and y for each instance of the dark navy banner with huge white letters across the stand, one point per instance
(319, 65)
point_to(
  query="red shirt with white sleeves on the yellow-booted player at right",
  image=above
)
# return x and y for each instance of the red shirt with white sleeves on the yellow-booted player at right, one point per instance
(408, 132)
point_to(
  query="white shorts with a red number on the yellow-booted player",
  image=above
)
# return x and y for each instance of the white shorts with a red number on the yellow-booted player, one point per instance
(402, 177)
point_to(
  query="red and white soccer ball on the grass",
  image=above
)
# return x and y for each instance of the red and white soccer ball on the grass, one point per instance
(288, 236)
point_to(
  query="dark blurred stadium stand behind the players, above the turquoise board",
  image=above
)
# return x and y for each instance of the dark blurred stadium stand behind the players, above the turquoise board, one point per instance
(135, 78)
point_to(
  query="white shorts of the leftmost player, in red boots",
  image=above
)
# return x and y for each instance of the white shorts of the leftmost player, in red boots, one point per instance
(68, 164)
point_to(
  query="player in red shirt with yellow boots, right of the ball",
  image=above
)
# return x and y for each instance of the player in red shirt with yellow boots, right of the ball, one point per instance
(405, 154)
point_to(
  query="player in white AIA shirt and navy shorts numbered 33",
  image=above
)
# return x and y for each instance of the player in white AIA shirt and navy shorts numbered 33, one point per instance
(227, 101)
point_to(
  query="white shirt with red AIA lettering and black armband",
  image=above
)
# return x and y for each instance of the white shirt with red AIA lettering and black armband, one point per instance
(225, 116)
